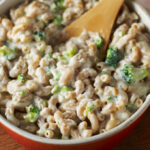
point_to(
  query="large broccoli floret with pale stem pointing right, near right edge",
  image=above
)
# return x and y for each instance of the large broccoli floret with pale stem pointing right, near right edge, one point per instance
(132, 75)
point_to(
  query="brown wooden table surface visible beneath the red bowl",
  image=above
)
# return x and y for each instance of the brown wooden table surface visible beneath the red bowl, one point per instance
(138, 140)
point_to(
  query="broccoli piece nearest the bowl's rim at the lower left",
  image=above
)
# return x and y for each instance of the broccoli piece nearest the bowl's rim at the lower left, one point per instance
(32, 115)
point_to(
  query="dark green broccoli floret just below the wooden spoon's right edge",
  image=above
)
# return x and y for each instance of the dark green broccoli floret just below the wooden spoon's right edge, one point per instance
(113, 57)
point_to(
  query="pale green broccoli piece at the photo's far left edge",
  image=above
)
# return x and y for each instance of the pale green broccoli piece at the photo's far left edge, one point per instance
(9, 53)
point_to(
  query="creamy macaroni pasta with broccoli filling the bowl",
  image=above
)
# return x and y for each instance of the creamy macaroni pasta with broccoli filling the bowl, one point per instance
(61, 89)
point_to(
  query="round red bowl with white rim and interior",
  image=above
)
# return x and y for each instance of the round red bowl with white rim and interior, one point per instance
(103, 141)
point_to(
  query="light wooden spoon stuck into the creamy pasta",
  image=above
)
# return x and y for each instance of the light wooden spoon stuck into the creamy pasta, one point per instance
(100, 19)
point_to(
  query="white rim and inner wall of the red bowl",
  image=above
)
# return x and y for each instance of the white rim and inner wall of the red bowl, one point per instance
(145, 17)
